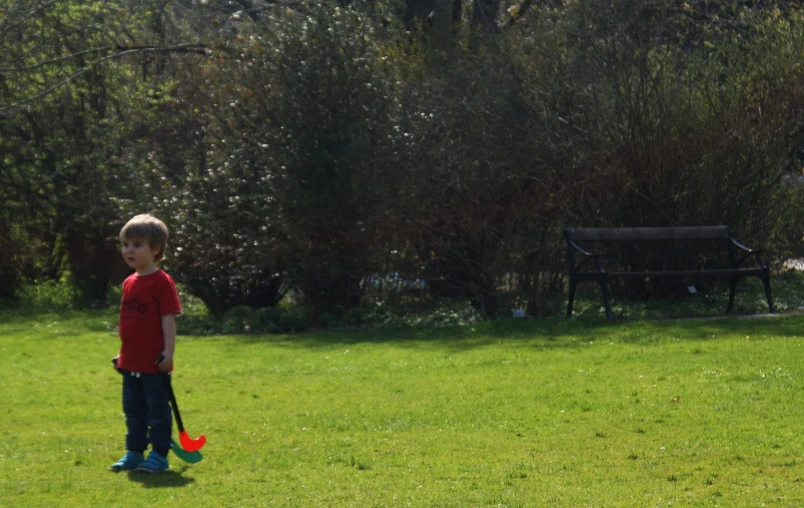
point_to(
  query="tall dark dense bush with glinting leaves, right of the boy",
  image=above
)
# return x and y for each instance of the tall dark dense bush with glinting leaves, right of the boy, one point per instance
(309, 119)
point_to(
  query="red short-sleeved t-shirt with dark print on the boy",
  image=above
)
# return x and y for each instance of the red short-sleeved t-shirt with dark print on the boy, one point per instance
(145, 300)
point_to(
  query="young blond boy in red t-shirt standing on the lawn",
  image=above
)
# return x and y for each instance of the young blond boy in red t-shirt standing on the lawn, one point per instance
(147, 330)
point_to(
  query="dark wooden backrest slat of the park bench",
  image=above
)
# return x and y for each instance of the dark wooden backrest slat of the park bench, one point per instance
(635, 234)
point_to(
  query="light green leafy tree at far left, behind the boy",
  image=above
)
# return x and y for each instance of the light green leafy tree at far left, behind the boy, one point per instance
(67, 116)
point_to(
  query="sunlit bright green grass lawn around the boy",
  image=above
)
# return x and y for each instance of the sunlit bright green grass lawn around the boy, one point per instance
(518, 413)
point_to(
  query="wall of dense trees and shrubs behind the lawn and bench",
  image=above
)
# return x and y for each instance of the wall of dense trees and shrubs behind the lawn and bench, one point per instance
(331, 156)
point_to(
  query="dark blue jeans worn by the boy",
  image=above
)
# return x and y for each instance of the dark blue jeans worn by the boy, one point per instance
(147, 407)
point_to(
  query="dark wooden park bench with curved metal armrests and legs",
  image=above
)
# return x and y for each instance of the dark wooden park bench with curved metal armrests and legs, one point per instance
(603, 254)
